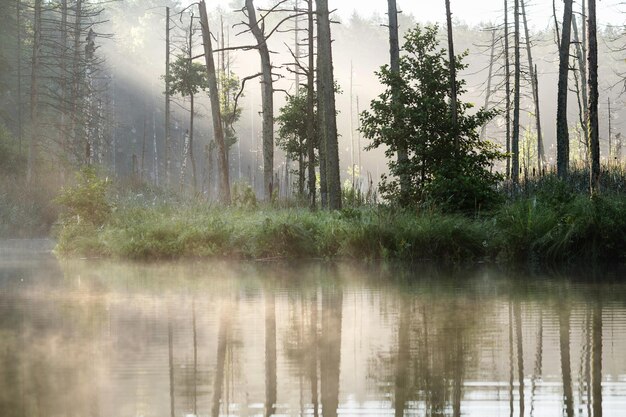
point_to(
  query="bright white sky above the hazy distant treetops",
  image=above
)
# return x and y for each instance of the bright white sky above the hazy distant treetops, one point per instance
(470, 11)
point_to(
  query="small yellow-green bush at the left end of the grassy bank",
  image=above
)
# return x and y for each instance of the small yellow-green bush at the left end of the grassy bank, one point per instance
(87, 201)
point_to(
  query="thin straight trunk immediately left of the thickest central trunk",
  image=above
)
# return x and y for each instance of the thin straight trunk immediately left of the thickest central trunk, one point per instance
(310, 125)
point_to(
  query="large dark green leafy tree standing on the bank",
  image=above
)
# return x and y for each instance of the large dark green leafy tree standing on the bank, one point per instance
(414, 109)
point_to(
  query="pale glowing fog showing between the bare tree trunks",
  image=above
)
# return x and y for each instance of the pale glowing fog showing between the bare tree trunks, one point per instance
(135, 60)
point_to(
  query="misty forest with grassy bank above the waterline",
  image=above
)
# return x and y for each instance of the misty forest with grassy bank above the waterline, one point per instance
(290, 129)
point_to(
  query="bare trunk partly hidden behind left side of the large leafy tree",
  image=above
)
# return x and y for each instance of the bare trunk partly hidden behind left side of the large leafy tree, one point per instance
(394, 53)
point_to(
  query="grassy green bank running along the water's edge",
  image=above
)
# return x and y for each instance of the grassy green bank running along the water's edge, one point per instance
(549, 228)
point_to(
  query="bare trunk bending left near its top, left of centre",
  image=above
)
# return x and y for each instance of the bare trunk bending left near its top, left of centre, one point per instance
(267, 98)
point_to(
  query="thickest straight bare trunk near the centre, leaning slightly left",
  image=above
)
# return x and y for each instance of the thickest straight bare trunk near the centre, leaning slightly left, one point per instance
(327, 96)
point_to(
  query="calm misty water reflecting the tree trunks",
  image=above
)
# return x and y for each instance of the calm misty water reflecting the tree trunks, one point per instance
(100, 338)
